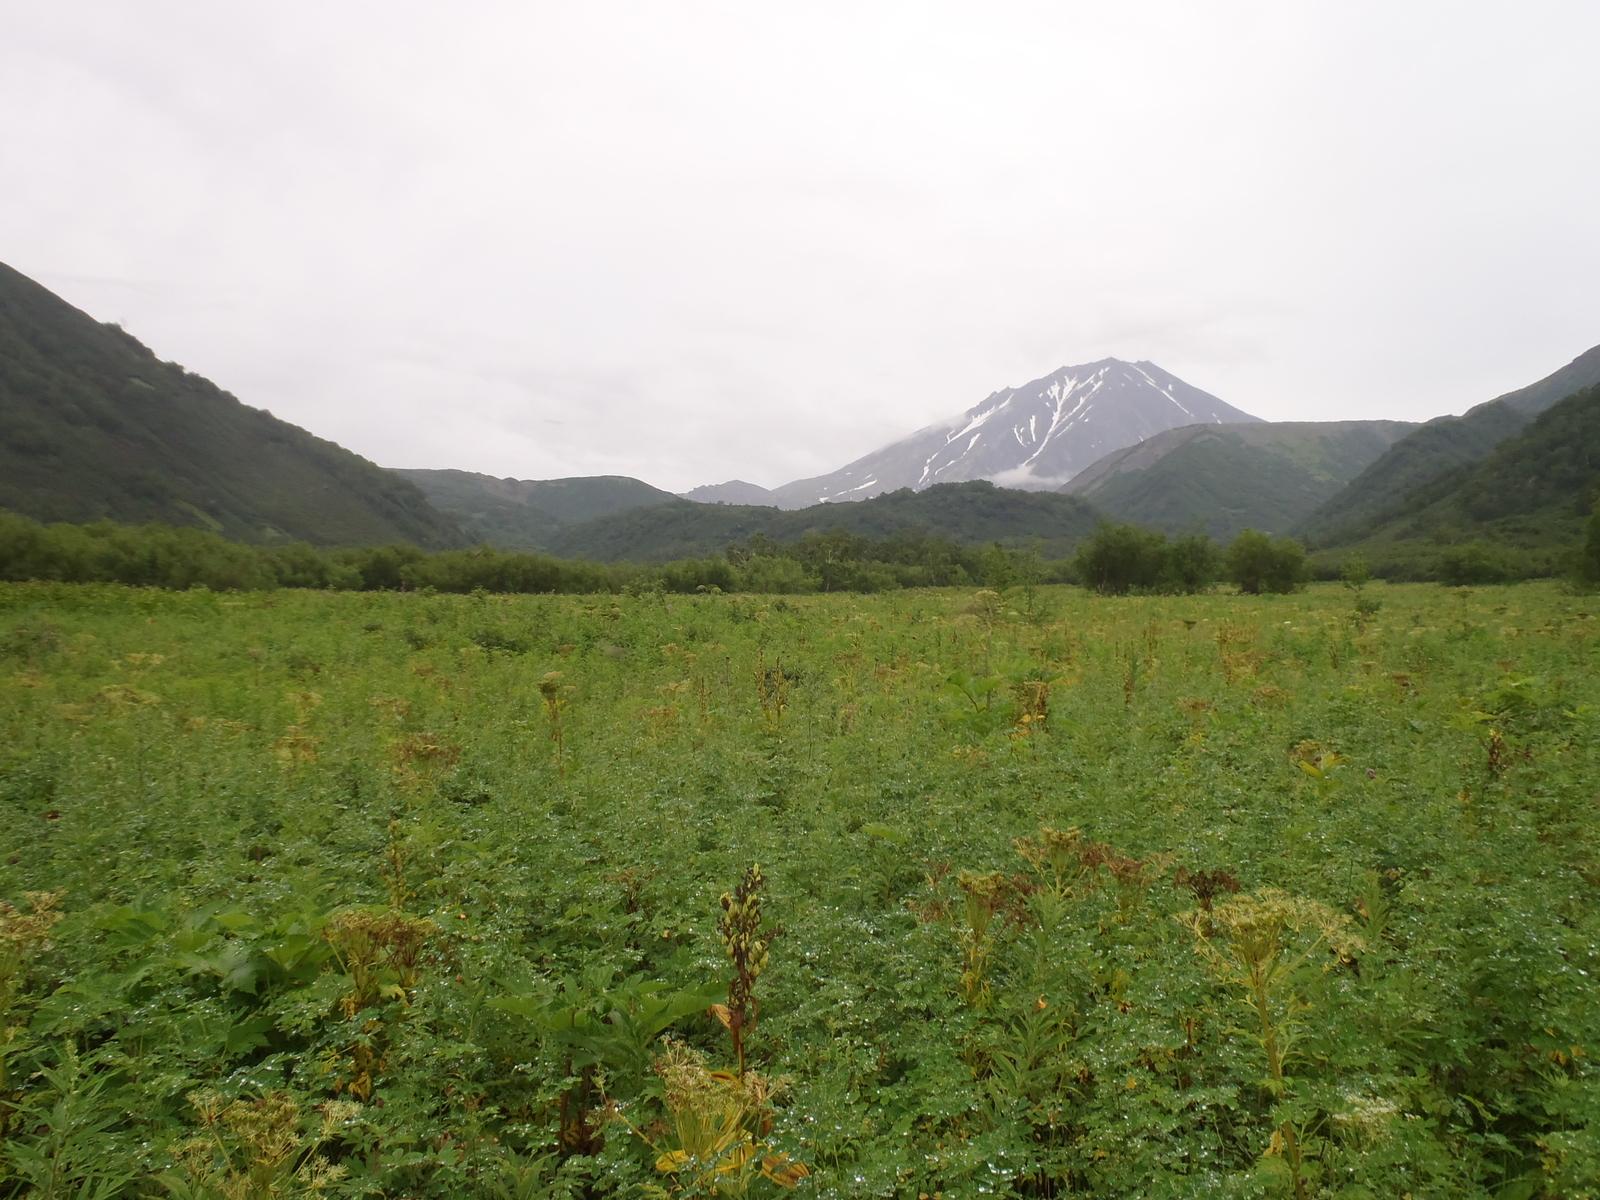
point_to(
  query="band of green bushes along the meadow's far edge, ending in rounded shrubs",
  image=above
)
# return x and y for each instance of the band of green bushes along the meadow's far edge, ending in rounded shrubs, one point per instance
(1113, 561)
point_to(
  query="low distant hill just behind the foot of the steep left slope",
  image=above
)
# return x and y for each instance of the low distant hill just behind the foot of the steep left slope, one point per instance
(527, 514)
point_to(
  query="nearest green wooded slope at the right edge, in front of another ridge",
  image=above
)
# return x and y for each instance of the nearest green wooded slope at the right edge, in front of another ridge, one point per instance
(1530, 497)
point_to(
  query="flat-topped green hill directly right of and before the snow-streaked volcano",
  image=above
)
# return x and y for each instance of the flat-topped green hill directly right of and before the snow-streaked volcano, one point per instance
(1226, 479)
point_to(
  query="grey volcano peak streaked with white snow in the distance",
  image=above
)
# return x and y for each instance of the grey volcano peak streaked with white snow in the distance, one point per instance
(1038, 436)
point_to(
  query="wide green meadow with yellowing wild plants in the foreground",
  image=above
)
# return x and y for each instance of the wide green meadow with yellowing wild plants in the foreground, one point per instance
(418, 895)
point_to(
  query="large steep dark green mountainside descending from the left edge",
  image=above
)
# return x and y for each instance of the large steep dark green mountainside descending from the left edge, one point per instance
(94, 426)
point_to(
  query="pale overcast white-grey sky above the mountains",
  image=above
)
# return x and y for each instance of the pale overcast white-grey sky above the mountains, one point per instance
(705, 241)
